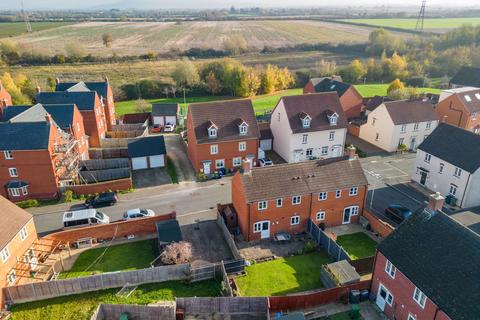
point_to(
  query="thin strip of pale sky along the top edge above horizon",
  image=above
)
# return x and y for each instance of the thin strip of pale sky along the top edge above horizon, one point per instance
(201, 4)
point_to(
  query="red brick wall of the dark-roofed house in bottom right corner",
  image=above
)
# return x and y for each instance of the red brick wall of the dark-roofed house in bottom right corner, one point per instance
(402, 291)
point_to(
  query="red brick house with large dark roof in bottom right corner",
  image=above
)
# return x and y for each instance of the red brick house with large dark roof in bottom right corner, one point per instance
(427, 269)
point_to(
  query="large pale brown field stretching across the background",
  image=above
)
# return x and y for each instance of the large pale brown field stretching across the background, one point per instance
(134, 38)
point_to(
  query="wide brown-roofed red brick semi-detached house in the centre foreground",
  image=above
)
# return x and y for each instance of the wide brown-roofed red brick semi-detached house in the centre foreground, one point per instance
(283, 197)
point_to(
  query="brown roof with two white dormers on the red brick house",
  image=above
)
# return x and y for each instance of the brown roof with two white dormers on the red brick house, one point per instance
(225, 115)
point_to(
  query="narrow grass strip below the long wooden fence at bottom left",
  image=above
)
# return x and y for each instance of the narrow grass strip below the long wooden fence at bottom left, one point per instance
(82, 306)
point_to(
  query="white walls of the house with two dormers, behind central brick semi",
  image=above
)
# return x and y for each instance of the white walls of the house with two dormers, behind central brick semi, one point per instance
(285, 142)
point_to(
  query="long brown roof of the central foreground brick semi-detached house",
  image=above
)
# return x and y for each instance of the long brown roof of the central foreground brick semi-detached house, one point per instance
(302, 178)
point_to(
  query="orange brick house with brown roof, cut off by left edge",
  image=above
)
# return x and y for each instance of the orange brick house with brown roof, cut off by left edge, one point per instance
(17, 237)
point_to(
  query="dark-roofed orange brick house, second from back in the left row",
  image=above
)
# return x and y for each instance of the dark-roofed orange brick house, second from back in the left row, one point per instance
(89, 105)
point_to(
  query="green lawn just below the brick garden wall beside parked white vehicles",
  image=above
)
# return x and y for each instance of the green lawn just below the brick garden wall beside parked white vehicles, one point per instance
(129, 256)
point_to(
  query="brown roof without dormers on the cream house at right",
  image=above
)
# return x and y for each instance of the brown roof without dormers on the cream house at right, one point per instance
(410, 111)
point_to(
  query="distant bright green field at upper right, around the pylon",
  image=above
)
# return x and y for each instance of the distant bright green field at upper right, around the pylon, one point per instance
(439, 24)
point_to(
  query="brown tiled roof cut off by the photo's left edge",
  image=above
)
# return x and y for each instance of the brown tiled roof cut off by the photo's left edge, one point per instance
(12, 218)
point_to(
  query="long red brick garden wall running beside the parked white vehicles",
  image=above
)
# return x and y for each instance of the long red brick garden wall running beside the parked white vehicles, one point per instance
(120, 229)
